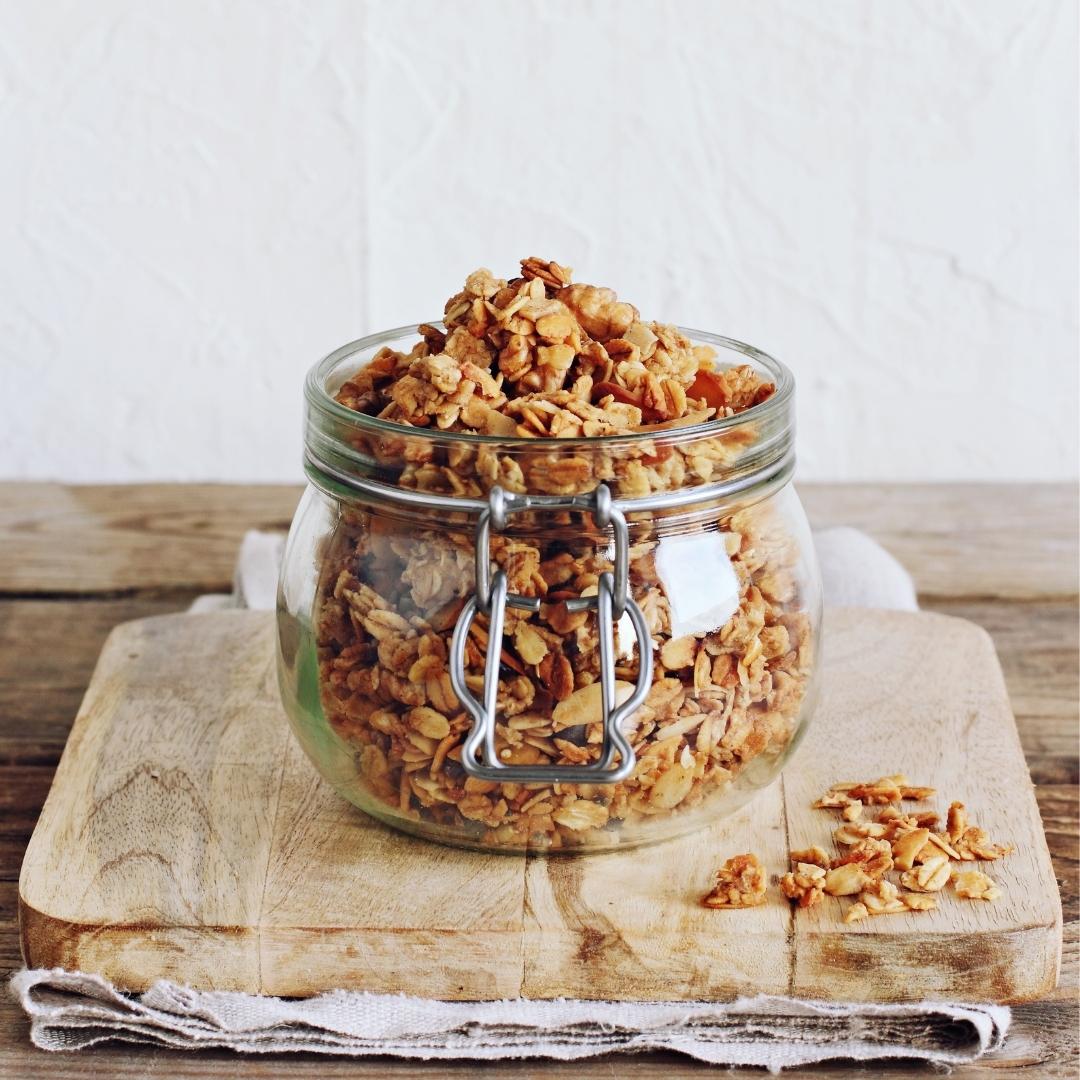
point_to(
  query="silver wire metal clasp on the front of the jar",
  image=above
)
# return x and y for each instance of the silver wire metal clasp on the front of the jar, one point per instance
(613, 599)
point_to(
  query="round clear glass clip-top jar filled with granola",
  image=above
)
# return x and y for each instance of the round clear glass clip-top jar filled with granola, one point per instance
(380, 586)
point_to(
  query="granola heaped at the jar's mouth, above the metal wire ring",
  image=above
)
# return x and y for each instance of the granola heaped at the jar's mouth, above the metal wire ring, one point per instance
(541, 357)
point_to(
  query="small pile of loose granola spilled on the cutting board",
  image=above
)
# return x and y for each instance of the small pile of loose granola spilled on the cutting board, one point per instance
(910, 844)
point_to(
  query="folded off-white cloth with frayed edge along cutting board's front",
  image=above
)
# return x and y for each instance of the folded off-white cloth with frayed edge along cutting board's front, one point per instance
(71, 1011)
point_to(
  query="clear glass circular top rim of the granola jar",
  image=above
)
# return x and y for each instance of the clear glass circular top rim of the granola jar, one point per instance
(320, 399)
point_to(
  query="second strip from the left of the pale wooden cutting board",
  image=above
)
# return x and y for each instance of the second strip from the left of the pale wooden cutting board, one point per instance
(382, 911)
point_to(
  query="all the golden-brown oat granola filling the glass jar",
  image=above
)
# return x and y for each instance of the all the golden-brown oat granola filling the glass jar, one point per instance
(542, 358)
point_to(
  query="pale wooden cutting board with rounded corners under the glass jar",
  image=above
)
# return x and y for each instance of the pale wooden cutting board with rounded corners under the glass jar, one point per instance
(187, 838)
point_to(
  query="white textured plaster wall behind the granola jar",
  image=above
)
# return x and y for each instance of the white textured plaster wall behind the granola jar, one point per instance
(200, 199)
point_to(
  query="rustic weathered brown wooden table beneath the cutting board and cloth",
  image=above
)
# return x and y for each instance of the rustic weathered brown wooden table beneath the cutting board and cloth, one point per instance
(76, 561)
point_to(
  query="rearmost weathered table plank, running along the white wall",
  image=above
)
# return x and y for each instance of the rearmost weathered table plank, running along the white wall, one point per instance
(161, 537)
